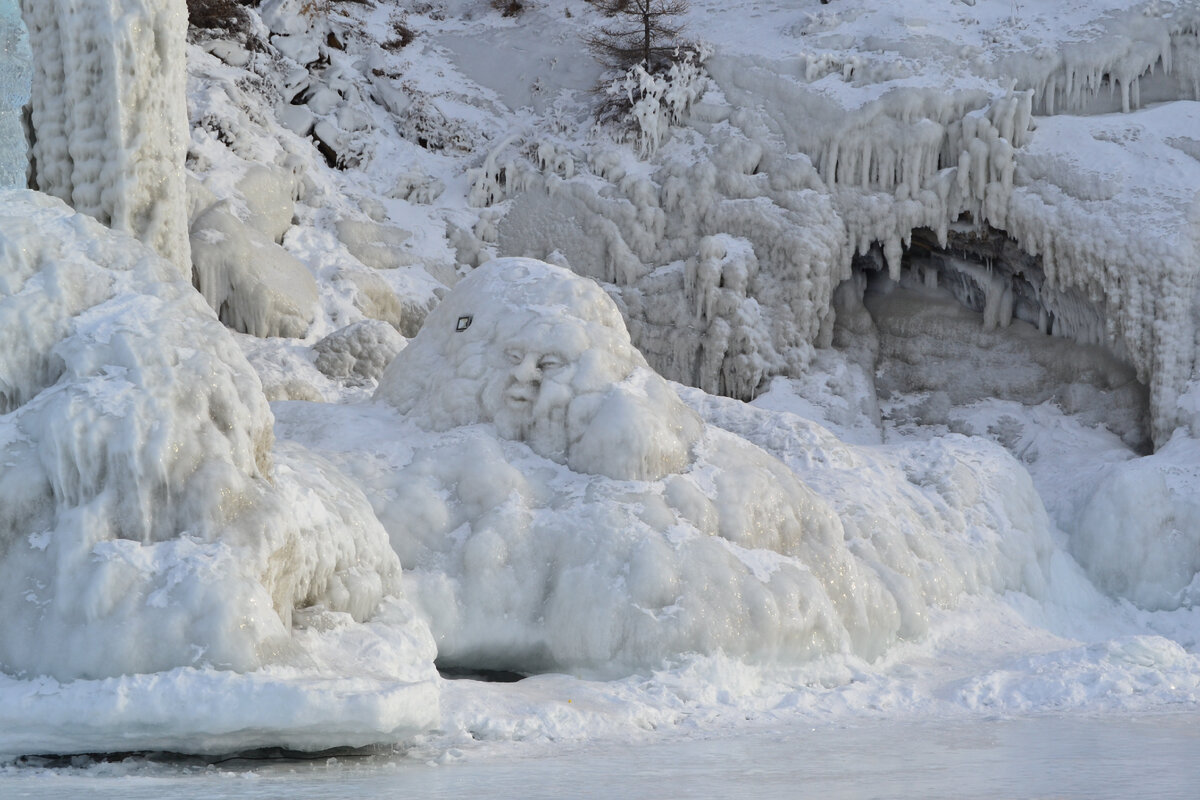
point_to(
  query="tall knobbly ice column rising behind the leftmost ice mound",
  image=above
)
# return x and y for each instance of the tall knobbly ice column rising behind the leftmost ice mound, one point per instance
(110, 116)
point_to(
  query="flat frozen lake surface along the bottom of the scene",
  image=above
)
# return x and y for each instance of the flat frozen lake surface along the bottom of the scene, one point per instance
(1149, 756)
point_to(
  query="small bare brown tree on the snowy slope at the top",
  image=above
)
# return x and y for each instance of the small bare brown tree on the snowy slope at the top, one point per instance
(641, 32)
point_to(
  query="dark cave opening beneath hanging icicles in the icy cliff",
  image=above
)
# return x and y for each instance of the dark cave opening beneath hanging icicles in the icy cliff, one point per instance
(977, 321)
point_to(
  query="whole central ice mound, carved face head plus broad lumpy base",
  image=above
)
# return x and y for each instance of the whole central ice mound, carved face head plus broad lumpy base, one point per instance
(525, 556)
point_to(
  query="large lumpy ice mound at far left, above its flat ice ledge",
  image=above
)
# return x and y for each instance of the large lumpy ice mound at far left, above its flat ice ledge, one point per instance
(151, 524)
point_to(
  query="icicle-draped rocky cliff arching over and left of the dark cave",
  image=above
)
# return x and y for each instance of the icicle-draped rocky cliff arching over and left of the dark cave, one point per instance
(859, 151)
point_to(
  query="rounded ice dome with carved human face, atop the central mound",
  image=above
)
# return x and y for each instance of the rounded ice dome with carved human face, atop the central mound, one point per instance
(543, 354)
